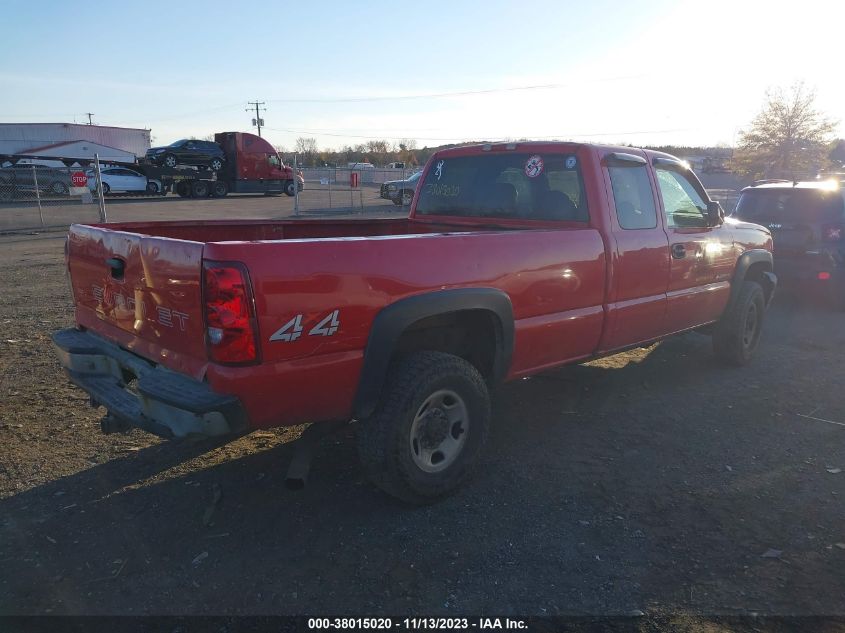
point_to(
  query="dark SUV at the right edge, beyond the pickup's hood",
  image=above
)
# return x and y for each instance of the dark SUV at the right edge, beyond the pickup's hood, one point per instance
(807, 221)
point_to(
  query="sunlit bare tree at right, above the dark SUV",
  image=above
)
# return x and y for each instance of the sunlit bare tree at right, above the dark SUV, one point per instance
(789, 138)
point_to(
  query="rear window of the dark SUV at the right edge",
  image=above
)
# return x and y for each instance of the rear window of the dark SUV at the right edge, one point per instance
(766, 206)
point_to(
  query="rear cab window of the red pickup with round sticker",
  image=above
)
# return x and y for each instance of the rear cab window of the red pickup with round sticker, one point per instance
(505, 185)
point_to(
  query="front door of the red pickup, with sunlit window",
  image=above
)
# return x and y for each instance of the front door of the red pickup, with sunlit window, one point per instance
(701, 254)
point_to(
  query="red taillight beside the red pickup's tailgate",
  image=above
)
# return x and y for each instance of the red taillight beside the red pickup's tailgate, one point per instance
(231, 330)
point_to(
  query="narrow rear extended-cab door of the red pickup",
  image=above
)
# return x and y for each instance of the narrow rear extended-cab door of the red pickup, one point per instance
(639, 275)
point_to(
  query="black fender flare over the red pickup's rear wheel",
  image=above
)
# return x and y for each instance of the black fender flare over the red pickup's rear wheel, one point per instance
(392, 321)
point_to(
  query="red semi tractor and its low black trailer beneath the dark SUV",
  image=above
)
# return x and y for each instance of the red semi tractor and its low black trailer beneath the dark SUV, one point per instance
(252, 165)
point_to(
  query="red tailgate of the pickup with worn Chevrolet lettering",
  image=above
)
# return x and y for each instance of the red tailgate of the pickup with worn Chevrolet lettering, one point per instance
(141, 292)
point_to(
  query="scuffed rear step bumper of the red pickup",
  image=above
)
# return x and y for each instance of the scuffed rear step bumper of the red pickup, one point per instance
(143, 394)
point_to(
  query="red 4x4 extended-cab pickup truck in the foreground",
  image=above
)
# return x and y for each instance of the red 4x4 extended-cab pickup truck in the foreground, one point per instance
(516, 258)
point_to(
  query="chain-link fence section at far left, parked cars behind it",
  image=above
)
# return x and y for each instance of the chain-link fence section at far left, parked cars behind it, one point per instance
(37, 196)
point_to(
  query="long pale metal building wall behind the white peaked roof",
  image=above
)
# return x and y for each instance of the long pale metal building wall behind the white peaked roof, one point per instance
(21, 138)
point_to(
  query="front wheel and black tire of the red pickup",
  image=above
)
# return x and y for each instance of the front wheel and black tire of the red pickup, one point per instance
(738, 333)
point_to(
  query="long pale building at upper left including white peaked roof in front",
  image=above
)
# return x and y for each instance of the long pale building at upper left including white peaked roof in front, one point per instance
(60, 138)
